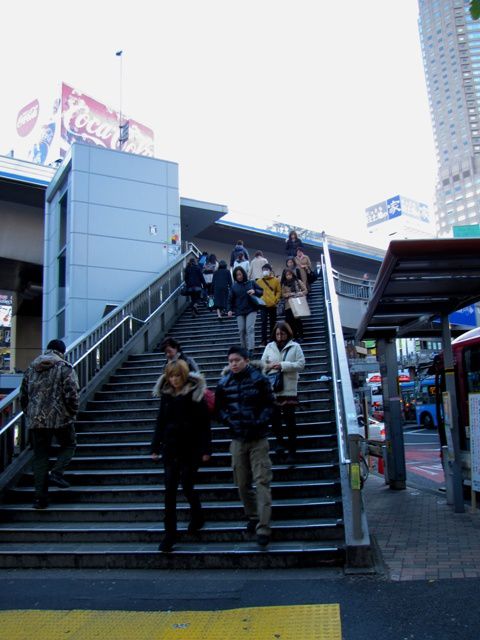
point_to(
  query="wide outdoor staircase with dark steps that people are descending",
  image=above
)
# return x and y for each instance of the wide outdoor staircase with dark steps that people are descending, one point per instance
(112, 517)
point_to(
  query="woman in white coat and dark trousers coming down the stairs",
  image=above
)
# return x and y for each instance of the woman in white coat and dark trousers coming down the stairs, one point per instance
(284, 355)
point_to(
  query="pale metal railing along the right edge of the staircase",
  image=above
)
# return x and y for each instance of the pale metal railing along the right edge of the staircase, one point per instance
(348, 432)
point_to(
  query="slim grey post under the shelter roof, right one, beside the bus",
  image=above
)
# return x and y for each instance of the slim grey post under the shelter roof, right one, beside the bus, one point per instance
(451, 421)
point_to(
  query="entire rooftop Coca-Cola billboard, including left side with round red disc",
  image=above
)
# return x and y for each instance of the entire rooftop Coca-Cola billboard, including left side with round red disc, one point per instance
(47, 126)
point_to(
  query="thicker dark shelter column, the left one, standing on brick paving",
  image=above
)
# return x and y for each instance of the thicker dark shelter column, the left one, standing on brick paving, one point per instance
(387, 356)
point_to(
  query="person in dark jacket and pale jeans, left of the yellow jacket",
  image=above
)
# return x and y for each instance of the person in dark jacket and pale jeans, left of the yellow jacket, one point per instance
(242, 301)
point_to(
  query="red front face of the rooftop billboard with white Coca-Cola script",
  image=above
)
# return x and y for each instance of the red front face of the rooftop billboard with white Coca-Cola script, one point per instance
(86, 120)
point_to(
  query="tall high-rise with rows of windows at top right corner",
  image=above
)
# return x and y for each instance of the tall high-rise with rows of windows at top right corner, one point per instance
(450, 42)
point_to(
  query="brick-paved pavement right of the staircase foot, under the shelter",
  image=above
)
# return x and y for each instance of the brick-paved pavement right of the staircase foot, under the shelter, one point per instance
(420, 536)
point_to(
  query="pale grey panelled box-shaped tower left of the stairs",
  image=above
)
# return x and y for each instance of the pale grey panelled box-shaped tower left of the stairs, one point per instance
(122, 210)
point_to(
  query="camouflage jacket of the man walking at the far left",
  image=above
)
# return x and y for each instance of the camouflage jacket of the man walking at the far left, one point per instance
(49, 393)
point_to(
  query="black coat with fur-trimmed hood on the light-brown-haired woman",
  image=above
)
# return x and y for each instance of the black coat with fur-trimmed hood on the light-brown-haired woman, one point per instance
(183, 421)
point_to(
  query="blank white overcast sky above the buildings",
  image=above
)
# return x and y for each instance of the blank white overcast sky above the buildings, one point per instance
(302, 111)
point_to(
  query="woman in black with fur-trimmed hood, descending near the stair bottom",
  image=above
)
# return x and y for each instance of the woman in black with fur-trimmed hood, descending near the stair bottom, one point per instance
(182, 437)
